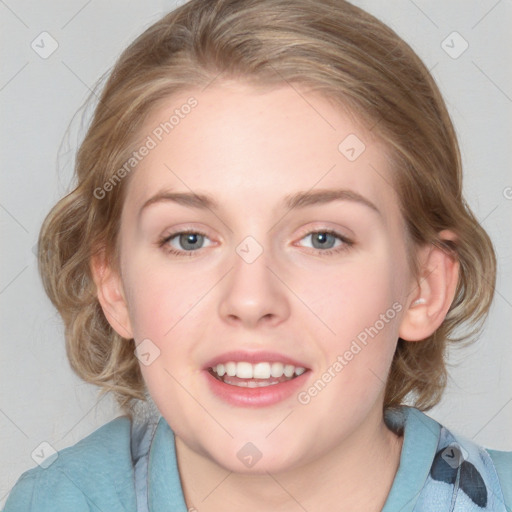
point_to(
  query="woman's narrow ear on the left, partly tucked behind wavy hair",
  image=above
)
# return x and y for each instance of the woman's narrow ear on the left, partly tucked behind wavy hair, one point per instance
(110, 295)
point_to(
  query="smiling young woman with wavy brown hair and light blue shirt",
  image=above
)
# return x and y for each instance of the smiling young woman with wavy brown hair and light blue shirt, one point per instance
(268, 246)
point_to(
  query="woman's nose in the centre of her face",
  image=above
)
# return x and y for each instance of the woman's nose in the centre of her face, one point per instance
(254, 293)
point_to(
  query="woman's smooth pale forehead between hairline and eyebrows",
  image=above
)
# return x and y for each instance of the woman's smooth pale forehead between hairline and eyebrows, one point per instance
(249, 148)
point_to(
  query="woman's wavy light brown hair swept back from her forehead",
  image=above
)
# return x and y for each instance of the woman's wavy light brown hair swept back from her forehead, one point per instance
(329, 47)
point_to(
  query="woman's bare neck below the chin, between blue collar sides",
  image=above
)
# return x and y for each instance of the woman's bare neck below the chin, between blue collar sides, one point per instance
(357, 475)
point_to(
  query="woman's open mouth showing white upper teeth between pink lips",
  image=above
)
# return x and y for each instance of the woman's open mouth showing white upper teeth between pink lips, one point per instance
(244, 374)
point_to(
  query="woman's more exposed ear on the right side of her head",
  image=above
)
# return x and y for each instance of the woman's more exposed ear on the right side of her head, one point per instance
(436, 287)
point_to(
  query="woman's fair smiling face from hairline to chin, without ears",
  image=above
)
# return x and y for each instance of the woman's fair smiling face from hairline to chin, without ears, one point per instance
(263, 264)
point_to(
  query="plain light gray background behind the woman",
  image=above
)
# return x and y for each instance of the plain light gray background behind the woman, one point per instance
(40, 399)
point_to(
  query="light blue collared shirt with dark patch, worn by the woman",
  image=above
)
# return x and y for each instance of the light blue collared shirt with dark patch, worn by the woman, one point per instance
(128, 468)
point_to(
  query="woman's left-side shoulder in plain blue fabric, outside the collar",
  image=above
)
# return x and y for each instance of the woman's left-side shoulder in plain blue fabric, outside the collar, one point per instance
(95, 472)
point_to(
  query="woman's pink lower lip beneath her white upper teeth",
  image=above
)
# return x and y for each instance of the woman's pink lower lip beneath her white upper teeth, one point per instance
(255, 397)
